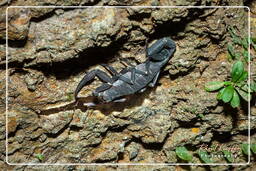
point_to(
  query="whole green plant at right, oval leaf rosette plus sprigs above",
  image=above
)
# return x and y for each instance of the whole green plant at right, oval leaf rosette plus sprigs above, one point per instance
(231, 91)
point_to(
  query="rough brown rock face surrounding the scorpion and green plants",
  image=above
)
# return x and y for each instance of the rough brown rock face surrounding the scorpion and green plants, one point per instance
(50, 50)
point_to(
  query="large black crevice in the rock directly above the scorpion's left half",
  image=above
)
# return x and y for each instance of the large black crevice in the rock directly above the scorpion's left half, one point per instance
(87, 58)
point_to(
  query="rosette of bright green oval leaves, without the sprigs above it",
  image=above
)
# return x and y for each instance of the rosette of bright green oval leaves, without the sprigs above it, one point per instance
(231, 91)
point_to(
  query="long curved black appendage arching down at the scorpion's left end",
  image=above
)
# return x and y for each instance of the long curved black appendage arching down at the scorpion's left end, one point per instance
(91, 75)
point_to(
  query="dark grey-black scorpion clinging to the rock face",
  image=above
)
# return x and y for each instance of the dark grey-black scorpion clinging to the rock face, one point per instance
(132, 79)
